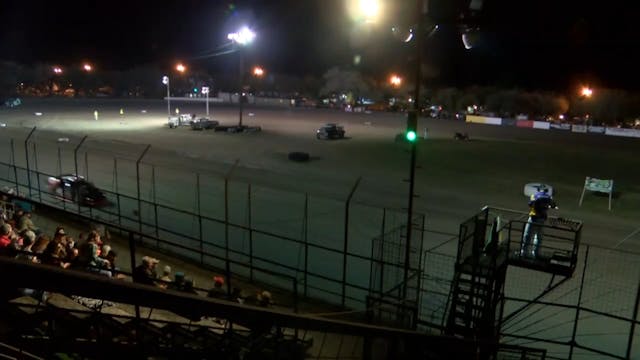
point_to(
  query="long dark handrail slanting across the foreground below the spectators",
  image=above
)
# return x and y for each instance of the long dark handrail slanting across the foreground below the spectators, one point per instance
(53, 279)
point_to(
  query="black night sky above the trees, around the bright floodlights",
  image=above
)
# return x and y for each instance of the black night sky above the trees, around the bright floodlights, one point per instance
(538, 44)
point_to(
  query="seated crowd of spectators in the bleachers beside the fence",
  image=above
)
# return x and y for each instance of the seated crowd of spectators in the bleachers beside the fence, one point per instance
(20, 238)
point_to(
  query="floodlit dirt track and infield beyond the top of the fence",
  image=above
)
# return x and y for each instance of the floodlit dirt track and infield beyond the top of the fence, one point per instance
(454, 179)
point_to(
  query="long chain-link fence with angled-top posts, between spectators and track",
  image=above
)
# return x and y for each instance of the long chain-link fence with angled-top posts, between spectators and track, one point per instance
(228, 215)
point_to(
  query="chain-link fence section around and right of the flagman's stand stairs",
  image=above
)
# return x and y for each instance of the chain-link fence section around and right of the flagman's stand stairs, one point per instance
(591, 314)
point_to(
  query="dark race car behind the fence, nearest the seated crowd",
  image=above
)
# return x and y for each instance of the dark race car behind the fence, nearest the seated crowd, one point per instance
(76, 189)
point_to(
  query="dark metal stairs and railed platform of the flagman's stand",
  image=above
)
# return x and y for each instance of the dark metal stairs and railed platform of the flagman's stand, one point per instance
(488, 243)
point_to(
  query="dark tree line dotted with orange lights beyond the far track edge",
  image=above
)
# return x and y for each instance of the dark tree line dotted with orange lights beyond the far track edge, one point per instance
(609, 106)
